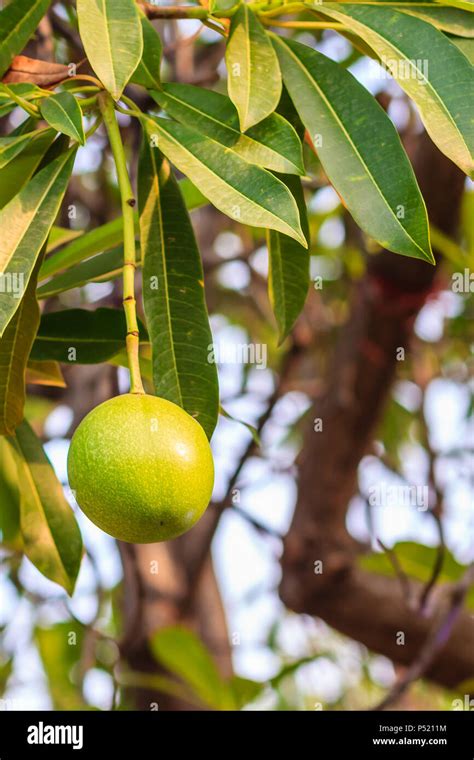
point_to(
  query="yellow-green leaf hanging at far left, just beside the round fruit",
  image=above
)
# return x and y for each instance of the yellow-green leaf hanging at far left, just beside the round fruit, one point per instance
(51, 536)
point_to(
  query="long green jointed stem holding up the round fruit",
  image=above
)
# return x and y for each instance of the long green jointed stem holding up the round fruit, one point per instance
(129, 261)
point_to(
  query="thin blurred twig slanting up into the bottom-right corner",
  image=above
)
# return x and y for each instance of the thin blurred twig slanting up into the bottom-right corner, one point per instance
(435, 641)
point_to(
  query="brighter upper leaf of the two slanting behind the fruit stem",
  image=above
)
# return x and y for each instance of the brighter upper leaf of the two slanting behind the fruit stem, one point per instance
(107, 236)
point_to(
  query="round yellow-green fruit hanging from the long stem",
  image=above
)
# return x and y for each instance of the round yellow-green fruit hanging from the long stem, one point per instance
(141, 468)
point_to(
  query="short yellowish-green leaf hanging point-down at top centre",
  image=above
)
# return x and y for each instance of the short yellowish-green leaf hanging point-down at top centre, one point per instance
(254, 79)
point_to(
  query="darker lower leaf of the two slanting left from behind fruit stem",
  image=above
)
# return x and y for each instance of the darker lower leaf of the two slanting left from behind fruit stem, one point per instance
(105, 266)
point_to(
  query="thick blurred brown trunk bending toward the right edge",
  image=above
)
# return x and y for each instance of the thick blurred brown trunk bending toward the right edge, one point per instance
(384, 304)
